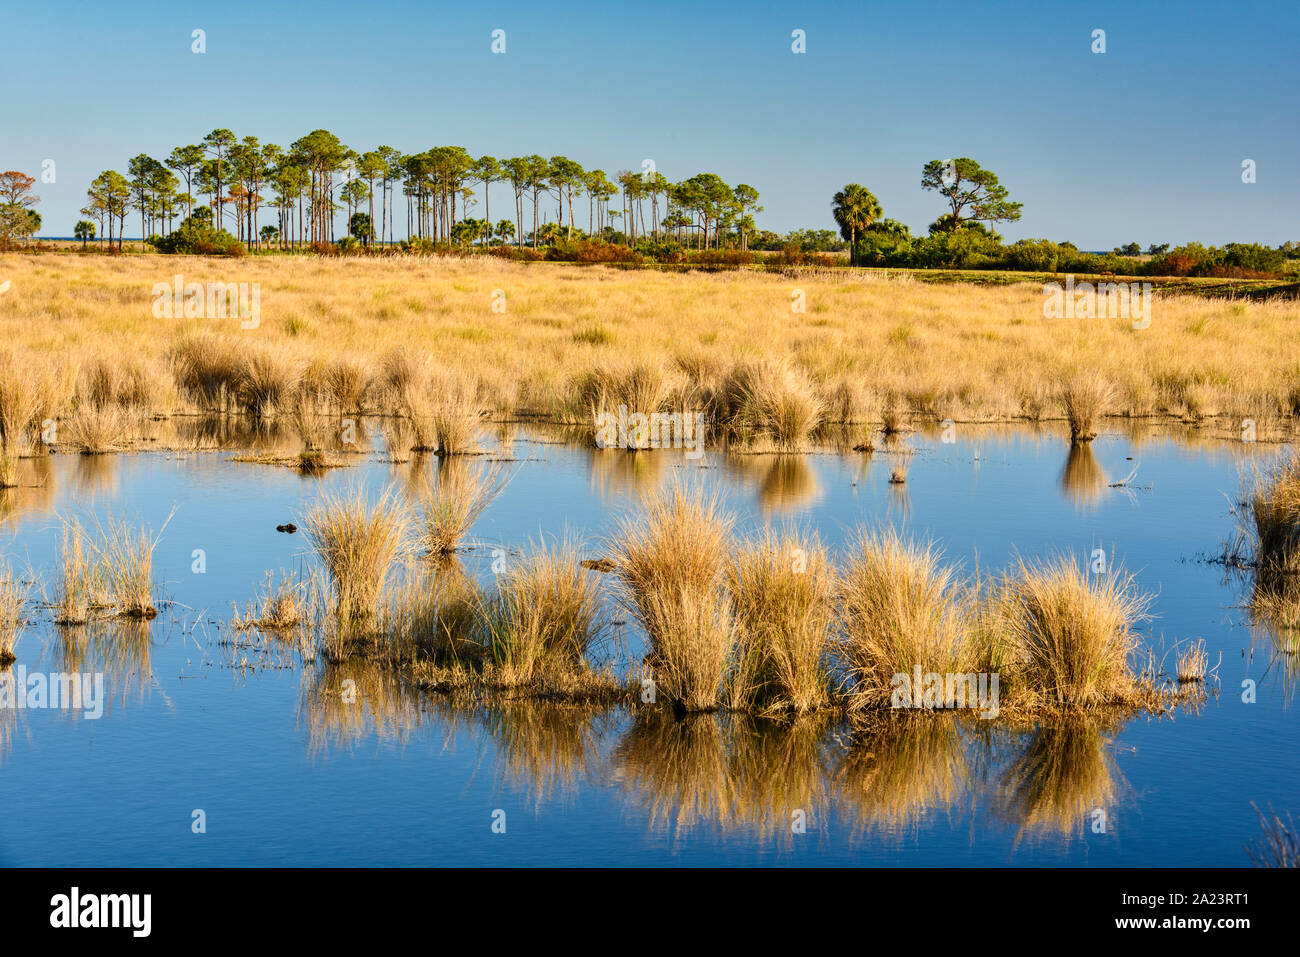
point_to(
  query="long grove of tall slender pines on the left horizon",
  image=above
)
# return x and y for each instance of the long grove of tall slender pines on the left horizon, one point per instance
(430, 196)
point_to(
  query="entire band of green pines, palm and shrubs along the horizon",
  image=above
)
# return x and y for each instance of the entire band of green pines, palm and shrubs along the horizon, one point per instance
(307, 185)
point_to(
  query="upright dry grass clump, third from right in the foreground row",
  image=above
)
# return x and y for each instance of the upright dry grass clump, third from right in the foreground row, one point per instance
(782, 588)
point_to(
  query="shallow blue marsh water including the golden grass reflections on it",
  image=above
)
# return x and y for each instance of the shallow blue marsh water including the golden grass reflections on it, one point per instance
(255, 738)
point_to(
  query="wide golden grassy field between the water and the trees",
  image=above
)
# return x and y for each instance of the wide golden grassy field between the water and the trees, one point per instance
(853, 347)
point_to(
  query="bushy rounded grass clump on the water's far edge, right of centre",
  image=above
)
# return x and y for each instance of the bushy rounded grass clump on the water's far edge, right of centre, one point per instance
(769, 402)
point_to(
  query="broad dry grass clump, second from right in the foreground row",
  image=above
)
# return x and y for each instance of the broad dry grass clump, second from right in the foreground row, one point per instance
(900, 610)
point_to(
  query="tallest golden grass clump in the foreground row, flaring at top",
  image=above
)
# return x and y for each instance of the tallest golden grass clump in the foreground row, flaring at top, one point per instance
(670, 562)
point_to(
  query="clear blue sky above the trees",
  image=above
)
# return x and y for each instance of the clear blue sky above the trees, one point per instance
(1142, 144)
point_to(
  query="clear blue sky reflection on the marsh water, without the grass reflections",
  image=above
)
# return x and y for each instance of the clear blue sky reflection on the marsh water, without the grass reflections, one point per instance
(122, 790)
